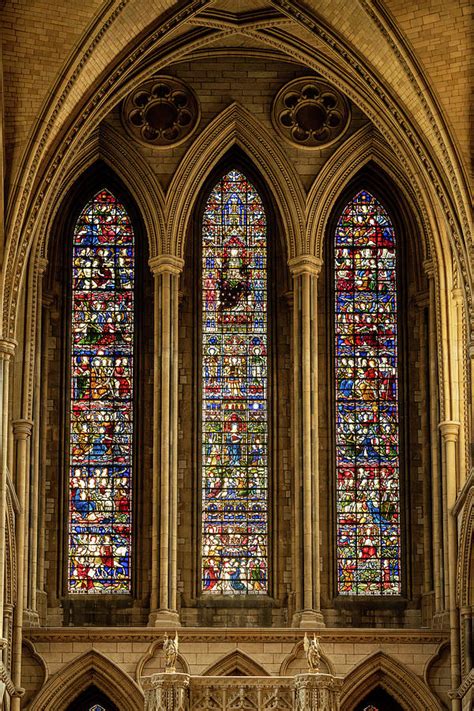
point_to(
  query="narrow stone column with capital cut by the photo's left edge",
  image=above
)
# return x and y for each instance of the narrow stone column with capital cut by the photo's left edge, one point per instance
(7, 350)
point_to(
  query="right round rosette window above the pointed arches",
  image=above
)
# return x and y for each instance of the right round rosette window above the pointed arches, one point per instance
(310, 113)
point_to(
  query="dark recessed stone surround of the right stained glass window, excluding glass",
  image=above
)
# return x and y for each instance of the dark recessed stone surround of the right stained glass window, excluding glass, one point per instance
(375, 181)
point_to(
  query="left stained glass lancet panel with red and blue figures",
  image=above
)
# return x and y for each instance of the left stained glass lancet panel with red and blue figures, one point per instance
(101, 418)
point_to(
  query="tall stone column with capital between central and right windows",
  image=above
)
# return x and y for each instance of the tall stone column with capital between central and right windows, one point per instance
(305, 270)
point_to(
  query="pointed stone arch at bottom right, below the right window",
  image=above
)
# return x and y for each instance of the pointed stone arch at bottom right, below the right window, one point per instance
(381, 670)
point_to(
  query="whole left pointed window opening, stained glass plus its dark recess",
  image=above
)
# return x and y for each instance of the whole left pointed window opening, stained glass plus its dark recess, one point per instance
(96, 306)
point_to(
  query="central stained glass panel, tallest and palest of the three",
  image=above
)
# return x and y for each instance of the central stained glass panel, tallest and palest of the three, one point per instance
(234, 390)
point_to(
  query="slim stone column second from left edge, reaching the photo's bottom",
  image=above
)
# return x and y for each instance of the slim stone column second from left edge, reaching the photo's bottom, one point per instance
(22, 433)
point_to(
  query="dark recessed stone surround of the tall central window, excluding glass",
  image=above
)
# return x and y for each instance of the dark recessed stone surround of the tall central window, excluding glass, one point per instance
(237, 159)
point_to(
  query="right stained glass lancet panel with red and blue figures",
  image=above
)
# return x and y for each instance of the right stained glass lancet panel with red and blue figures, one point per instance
(367, 419)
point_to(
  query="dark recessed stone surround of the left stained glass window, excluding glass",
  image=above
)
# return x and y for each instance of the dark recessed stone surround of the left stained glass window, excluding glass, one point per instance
(97, 177)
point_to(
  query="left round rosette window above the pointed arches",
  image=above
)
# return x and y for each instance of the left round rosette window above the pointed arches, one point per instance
(162, 111)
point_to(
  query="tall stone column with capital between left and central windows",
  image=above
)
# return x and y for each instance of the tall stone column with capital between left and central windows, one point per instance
(163, 608)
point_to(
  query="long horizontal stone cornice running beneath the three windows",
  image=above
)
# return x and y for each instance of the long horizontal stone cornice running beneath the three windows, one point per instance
(235, 635)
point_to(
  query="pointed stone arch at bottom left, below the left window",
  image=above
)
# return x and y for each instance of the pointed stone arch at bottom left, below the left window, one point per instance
(90, 668)
